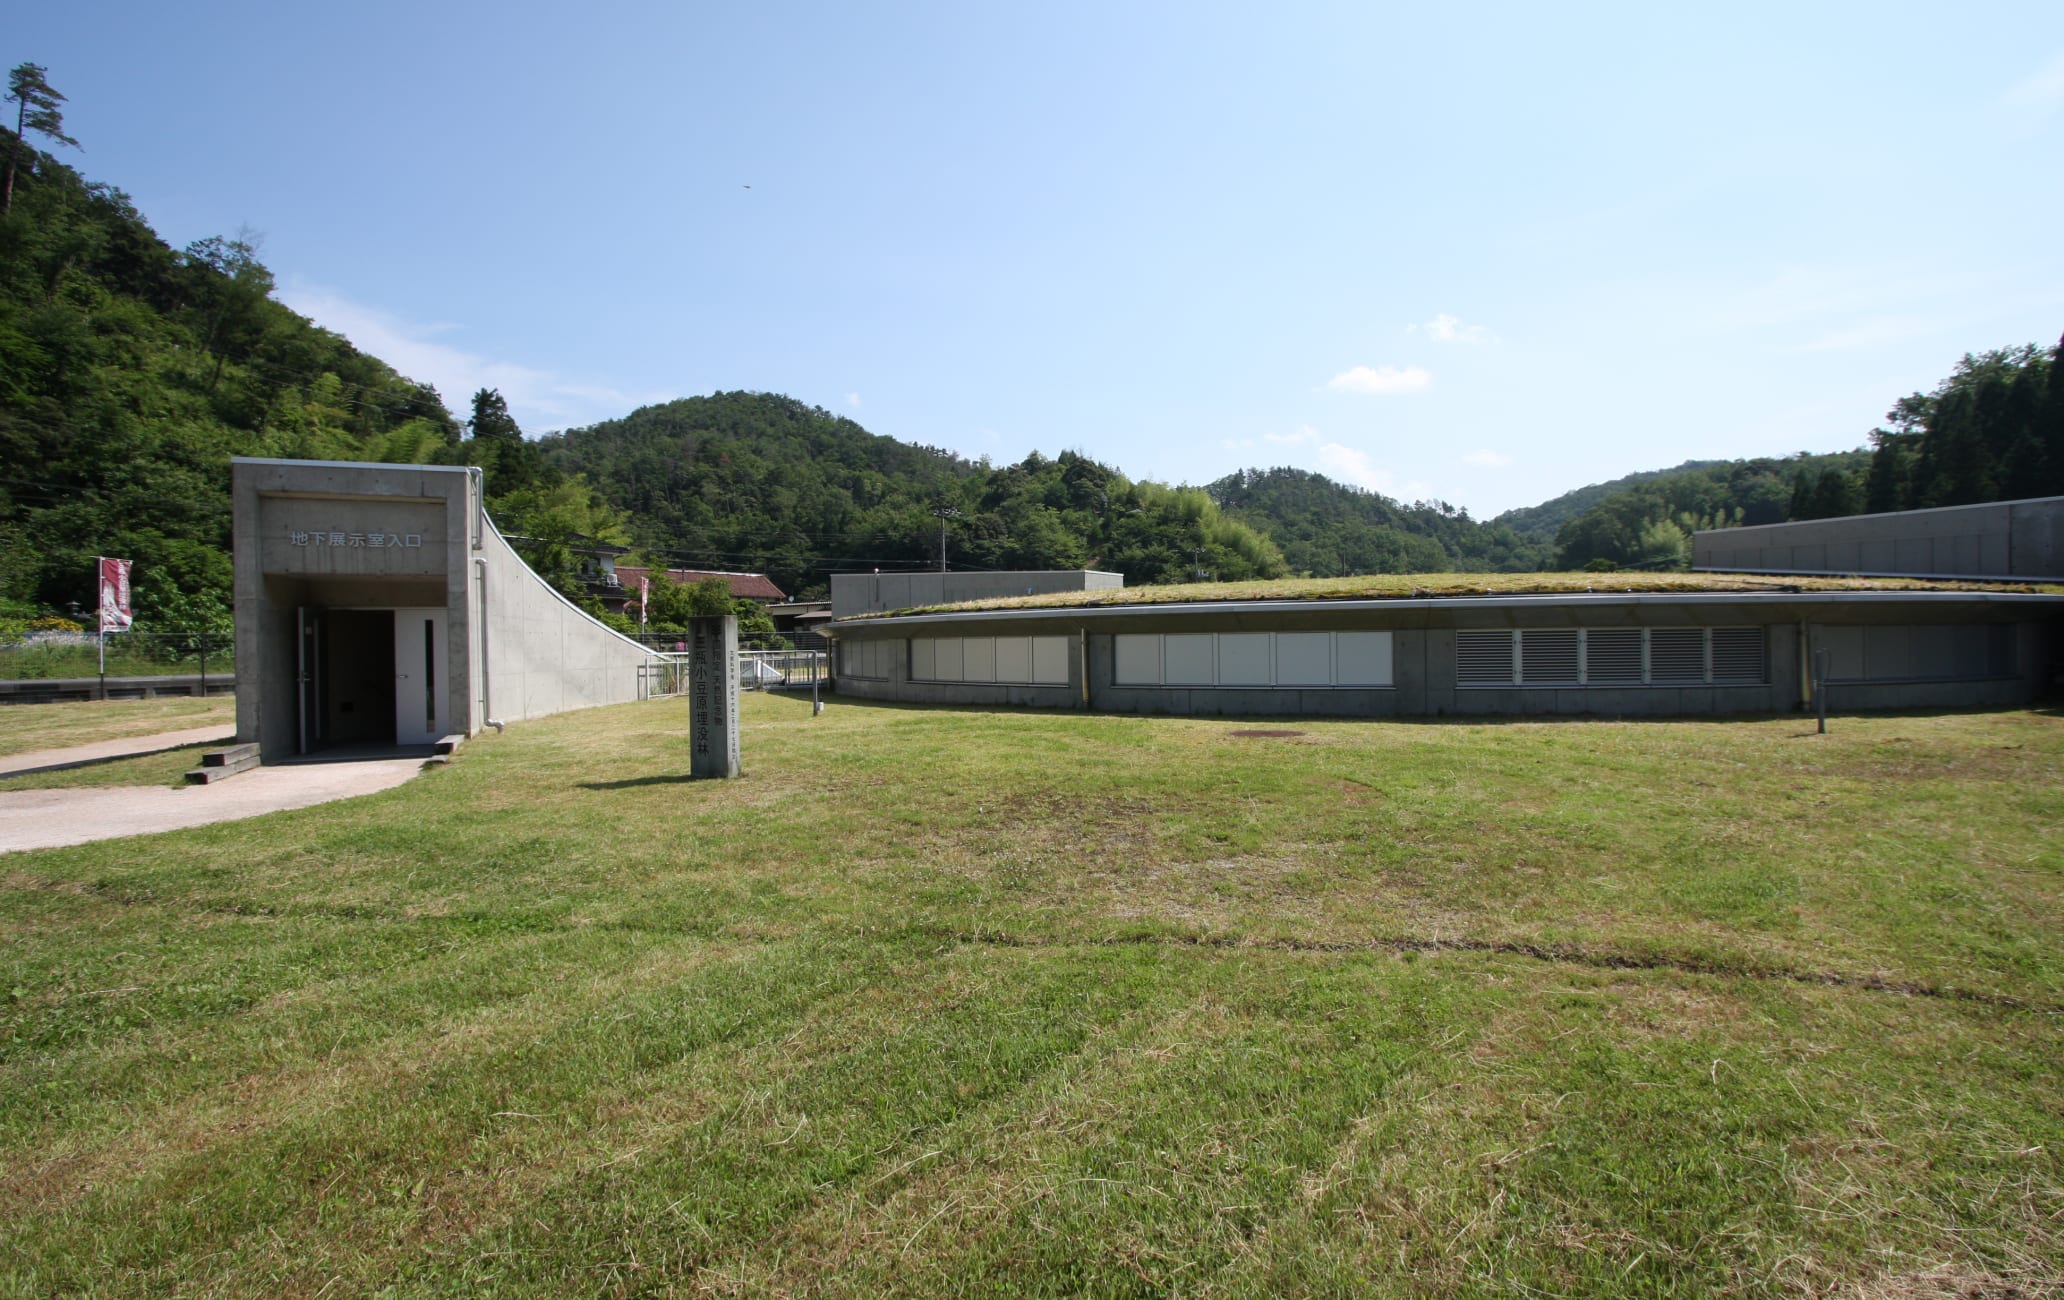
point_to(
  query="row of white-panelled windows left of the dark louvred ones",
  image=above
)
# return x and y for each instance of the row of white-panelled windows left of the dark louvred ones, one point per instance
(1256, 659)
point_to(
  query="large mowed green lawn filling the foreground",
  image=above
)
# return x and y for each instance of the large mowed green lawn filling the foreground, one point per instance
(1033, 1004)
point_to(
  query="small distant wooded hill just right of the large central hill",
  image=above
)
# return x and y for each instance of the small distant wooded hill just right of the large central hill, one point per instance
(1332, 531)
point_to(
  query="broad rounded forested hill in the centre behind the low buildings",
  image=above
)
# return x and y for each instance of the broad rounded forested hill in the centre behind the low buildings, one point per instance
(763, 482)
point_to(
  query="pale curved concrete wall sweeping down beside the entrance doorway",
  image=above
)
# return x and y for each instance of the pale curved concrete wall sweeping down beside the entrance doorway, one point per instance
(542, 653)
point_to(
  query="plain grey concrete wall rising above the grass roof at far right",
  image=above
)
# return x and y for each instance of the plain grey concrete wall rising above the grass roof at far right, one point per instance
(2003, 540)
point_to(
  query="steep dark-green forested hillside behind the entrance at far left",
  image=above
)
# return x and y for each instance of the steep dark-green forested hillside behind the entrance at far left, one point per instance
(131, 375)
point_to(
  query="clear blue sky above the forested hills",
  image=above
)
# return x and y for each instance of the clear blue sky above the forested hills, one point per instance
(1466, 253)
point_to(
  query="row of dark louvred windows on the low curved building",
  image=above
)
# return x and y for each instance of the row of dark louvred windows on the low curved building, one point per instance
(1611, 657)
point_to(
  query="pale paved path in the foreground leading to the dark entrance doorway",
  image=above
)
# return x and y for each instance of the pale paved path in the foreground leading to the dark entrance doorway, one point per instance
(53, 818)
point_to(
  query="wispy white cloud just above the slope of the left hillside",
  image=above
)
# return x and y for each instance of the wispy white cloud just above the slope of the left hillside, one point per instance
(540, 399)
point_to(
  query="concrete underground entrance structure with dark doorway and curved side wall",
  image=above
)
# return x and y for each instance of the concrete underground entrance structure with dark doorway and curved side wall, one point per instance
(377, 606)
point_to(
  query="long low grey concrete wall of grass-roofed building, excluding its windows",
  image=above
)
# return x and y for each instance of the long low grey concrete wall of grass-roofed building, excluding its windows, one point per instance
(1939, 632)
